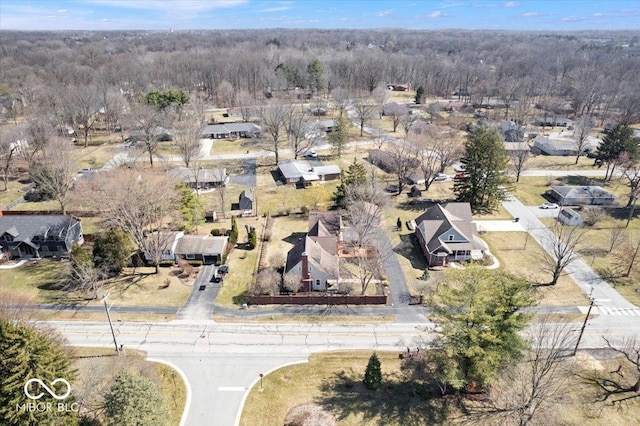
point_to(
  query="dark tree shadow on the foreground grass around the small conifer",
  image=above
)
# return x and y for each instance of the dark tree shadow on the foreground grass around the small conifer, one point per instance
(396, 402)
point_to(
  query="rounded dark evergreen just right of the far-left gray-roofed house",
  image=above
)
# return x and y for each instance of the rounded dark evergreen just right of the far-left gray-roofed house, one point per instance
(112, 250)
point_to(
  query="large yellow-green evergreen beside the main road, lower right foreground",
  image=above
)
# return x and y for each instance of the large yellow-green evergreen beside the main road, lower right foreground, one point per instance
(480, 312)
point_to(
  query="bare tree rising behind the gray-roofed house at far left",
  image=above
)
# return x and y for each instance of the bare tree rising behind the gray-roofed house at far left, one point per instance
(54, 171)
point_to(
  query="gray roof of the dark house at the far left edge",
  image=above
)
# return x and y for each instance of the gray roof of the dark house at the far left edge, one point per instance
(27, 227)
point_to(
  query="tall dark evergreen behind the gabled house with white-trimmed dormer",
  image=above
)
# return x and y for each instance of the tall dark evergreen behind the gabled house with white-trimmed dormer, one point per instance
(485, 183)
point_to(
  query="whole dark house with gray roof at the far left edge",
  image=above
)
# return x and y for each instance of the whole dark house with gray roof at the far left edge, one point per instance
(35, 236)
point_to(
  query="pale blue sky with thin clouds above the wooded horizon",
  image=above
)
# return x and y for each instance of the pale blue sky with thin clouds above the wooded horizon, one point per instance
(240, 14)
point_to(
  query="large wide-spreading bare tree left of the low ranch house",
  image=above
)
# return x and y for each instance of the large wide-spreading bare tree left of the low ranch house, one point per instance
(138, 202)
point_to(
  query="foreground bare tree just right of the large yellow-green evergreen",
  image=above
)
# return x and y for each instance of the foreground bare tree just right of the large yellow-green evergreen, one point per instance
(530, 391)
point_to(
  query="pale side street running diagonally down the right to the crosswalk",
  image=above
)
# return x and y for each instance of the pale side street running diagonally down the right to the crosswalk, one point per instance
(607, 299)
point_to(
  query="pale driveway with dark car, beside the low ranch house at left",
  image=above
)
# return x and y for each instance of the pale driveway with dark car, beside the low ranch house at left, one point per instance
(199, 305)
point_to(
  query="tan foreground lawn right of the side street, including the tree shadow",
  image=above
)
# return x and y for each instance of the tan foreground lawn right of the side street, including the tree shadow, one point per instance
(333, 381)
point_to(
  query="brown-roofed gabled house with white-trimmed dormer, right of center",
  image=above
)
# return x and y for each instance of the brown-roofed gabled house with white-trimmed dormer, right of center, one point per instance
(446, 233)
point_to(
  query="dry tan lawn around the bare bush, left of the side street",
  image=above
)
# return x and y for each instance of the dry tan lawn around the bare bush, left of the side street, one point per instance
(97, 369)
